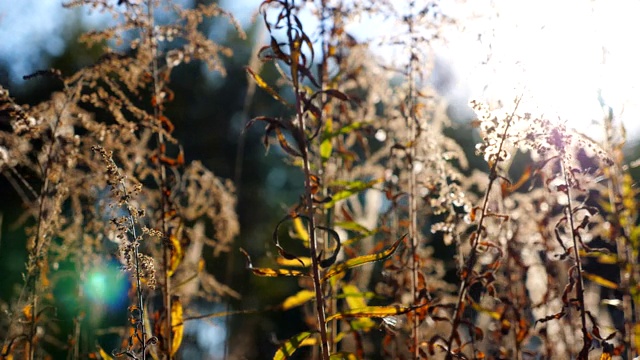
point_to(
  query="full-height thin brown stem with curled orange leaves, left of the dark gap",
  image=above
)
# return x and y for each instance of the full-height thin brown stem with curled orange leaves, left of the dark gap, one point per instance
(166, 251)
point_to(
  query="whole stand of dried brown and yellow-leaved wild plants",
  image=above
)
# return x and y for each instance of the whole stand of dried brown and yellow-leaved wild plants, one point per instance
(398, 246)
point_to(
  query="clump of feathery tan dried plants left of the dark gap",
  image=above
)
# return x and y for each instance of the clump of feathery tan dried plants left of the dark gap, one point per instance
(105, 130)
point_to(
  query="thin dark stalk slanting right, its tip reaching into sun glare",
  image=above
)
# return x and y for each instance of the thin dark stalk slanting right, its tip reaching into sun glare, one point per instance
(467, 270)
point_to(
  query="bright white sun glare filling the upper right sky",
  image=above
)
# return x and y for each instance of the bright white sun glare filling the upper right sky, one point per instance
(565, 57)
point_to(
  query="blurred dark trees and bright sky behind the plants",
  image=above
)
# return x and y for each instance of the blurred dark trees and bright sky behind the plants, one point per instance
(210, 110)
